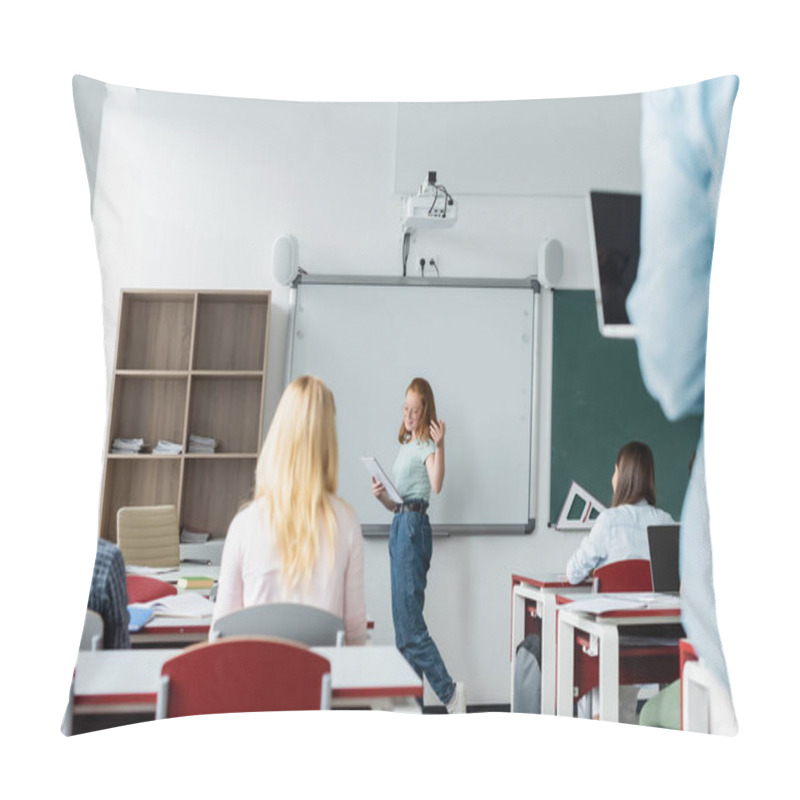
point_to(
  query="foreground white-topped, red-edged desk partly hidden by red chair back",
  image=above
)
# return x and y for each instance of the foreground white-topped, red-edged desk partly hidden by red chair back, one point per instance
(126, 681)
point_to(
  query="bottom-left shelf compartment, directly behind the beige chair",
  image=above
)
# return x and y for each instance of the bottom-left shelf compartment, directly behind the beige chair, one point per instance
(133, 481)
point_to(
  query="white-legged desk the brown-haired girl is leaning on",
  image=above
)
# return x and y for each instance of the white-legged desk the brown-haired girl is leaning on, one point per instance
(533, 609)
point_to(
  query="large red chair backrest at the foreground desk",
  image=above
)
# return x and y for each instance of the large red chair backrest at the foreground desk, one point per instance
(243, 674)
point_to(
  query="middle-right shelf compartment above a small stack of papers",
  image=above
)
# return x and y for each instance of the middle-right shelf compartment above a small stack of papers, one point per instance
(228, 410)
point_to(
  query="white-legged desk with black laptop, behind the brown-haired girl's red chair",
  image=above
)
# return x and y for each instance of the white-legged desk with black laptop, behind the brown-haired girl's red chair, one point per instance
(603, 628)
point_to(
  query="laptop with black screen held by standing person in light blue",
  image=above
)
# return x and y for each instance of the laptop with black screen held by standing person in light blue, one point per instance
(614, 223)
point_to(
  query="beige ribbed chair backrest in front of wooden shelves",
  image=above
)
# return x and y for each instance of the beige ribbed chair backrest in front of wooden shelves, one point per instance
(149, 536)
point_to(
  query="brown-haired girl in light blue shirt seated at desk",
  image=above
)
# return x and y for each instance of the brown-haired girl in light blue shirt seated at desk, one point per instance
(620, 532)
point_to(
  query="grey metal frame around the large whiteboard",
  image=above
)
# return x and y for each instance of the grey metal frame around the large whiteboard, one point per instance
(531, 283)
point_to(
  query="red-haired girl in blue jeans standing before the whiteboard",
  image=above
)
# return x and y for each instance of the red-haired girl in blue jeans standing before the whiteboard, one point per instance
(418, 470)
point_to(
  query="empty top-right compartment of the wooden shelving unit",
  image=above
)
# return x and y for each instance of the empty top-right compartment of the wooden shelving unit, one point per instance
(231, 331)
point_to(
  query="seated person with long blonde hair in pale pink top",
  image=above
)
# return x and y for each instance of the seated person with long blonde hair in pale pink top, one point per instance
(297, 541)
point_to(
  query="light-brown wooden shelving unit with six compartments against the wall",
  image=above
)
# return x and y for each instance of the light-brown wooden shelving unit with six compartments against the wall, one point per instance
(188, 362)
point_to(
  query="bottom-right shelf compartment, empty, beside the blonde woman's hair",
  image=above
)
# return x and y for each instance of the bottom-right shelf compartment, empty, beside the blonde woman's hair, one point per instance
(214, 490)
